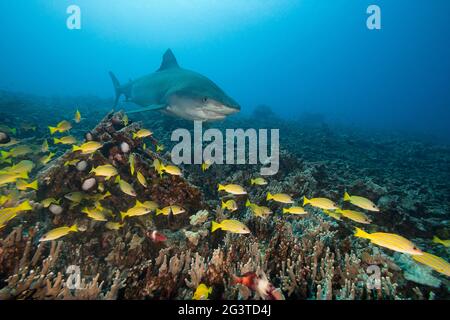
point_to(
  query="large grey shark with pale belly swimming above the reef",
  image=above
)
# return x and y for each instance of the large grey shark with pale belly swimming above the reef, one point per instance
(177, 92)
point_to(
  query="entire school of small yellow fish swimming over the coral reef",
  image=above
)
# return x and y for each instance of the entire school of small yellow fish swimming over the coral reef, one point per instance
(16, 171)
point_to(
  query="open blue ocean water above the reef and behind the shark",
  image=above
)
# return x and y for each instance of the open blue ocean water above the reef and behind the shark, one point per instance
(295, 56)
